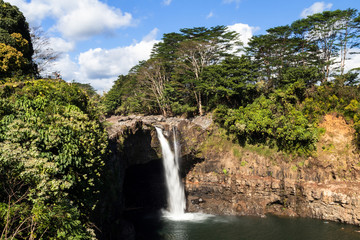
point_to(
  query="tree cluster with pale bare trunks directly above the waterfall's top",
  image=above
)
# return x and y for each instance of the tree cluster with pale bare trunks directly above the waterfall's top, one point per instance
(168, 83)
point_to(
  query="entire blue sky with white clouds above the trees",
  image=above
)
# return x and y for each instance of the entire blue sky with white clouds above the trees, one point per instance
(101, 39)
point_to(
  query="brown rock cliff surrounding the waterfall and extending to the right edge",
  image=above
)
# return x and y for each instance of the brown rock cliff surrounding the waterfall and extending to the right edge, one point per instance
(222, 177)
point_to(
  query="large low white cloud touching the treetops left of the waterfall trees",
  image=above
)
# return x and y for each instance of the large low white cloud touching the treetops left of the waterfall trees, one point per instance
(100, 67)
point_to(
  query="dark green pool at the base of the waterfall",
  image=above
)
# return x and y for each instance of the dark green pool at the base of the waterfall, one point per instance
(244, 228)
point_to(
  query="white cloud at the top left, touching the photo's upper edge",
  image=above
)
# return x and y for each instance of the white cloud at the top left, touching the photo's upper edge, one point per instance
(75, 20)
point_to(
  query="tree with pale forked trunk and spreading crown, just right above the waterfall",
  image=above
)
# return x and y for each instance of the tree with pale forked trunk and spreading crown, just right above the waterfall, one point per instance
(202, 47)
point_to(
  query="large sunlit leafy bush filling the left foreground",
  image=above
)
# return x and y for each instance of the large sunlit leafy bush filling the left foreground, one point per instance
(52, 149)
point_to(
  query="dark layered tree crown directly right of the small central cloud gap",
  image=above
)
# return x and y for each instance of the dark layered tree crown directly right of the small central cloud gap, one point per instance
(281, 49)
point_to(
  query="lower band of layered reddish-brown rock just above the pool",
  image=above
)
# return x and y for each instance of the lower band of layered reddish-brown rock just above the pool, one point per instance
(238, 194)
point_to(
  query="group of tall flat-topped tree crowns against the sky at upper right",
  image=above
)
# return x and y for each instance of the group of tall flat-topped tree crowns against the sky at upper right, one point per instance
(314, 42)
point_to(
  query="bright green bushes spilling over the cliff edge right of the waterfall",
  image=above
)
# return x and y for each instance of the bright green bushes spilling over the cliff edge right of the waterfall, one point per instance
(274, 121)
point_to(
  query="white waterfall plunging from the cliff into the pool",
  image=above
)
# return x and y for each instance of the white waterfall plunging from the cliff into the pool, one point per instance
(176, 195)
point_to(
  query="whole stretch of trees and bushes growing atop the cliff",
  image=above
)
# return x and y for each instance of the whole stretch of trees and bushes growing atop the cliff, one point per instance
(272, 91)
